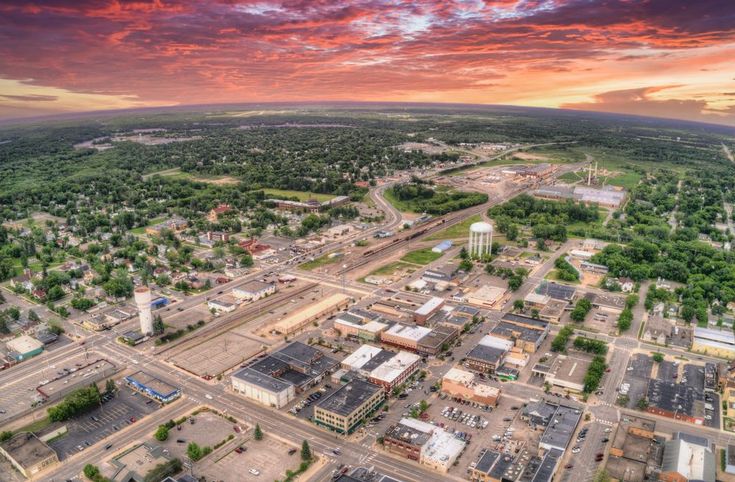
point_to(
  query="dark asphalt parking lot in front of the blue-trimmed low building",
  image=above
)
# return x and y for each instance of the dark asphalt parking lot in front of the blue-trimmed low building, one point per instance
(124, 409)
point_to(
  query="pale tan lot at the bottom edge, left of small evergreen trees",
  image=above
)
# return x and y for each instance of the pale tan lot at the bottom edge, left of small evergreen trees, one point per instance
(269, 457)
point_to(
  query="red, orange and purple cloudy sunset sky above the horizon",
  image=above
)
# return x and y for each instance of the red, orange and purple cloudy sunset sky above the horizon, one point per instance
(667, 58)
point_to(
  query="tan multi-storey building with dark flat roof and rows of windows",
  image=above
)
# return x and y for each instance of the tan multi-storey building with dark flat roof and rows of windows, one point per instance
(344, 410)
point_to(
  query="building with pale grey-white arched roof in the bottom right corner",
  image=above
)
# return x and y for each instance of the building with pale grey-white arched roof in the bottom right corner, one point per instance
(688, 457)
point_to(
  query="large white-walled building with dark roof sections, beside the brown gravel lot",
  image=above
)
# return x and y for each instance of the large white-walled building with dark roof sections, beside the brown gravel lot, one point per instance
(276, 379)
